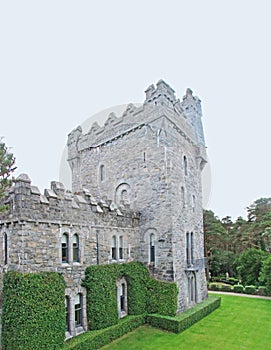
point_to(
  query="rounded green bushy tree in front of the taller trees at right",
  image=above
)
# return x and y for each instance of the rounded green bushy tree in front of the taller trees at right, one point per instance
(249, 265)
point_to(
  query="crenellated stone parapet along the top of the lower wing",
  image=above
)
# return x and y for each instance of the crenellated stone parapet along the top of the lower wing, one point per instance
(59, 204)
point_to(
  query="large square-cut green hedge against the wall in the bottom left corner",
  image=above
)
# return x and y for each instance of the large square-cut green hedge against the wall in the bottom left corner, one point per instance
(33, 311)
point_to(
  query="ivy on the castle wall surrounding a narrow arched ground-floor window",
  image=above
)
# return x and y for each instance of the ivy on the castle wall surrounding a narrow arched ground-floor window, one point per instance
(145, 295)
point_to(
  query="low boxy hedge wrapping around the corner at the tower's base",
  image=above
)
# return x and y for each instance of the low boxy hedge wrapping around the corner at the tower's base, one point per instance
(183, 321)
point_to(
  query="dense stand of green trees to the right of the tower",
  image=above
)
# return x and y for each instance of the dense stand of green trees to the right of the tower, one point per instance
(227, 242)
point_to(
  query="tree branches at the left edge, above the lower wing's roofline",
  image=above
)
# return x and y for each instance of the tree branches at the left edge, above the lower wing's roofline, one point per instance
(7, 161)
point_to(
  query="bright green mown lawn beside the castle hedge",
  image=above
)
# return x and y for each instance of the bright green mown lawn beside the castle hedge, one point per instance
(239, 323)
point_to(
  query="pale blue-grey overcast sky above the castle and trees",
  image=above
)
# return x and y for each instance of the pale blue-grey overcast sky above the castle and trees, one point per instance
(63, 61)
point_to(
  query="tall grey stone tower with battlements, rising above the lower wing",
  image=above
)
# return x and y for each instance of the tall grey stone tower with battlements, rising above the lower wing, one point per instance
(151, 159)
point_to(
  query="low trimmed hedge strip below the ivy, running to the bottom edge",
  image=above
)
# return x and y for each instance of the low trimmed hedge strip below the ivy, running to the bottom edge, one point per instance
(96, 339)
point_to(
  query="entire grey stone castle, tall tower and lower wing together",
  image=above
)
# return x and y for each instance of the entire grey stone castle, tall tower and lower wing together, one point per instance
(136, 196)
